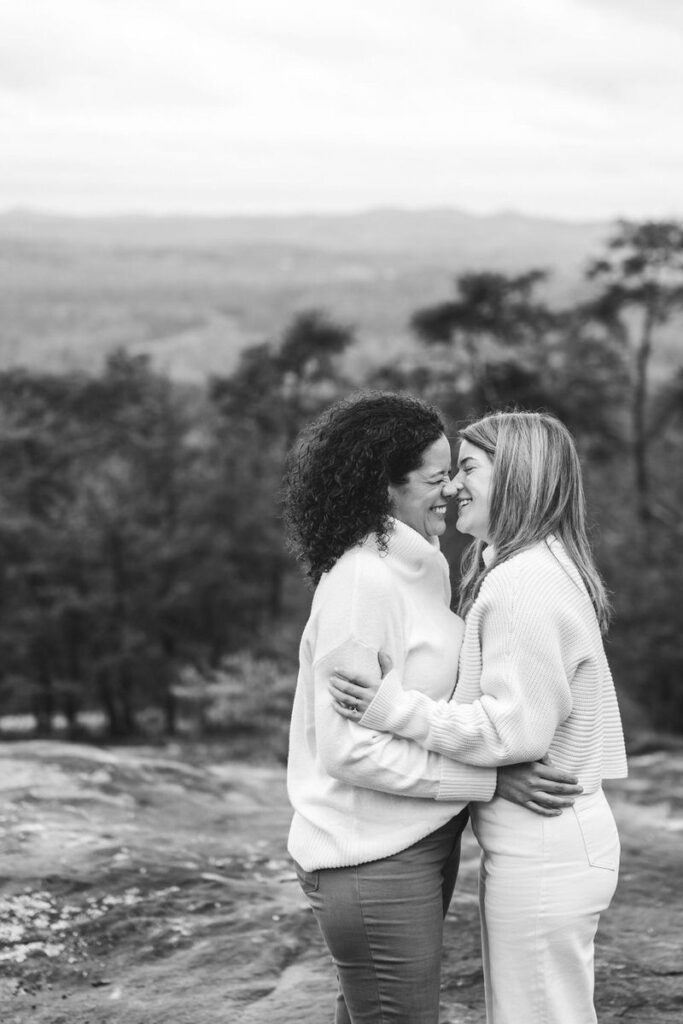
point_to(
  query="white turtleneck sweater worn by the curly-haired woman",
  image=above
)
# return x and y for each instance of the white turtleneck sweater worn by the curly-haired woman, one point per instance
(360, 796)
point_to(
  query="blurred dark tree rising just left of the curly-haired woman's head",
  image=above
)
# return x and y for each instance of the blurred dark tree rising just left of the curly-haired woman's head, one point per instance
(276, 390)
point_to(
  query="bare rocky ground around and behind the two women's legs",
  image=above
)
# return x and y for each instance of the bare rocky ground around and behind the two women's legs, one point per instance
(152, 887)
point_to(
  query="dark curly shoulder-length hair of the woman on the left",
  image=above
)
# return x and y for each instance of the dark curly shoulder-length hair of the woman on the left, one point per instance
(338, 473)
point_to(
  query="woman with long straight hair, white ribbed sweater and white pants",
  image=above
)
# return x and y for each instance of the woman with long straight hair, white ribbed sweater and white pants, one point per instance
(533, 679)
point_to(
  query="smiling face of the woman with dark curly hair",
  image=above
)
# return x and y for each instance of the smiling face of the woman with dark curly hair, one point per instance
(421, 501)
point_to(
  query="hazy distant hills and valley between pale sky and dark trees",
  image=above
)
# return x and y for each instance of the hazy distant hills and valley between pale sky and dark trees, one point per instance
(193, 291)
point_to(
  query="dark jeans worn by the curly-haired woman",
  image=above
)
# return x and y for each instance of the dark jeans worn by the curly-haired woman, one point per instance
(383, 924)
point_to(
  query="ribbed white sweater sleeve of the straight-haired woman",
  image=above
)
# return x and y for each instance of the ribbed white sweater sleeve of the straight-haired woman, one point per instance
(524, 689)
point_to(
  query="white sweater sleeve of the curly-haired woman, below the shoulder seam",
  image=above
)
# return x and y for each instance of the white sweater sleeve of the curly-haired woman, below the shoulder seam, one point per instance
(379, 760)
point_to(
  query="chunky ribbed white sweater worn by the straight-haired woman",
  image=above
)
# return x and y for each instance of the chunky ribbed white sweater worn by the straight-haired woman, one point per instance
(533, 679)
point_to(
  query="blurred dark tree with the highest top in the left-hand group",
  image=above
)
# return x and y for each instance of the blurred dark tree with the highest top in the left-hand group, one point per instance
(138, 502)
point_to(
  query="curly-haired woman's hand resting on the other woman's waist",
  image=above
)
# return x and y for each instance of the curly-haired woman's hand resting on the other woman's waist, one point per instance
(539, 787)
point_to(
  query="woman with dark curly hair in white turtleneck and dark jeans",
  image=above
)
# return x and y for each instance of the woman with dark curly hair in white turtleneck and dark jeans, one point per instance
(377, 819)
